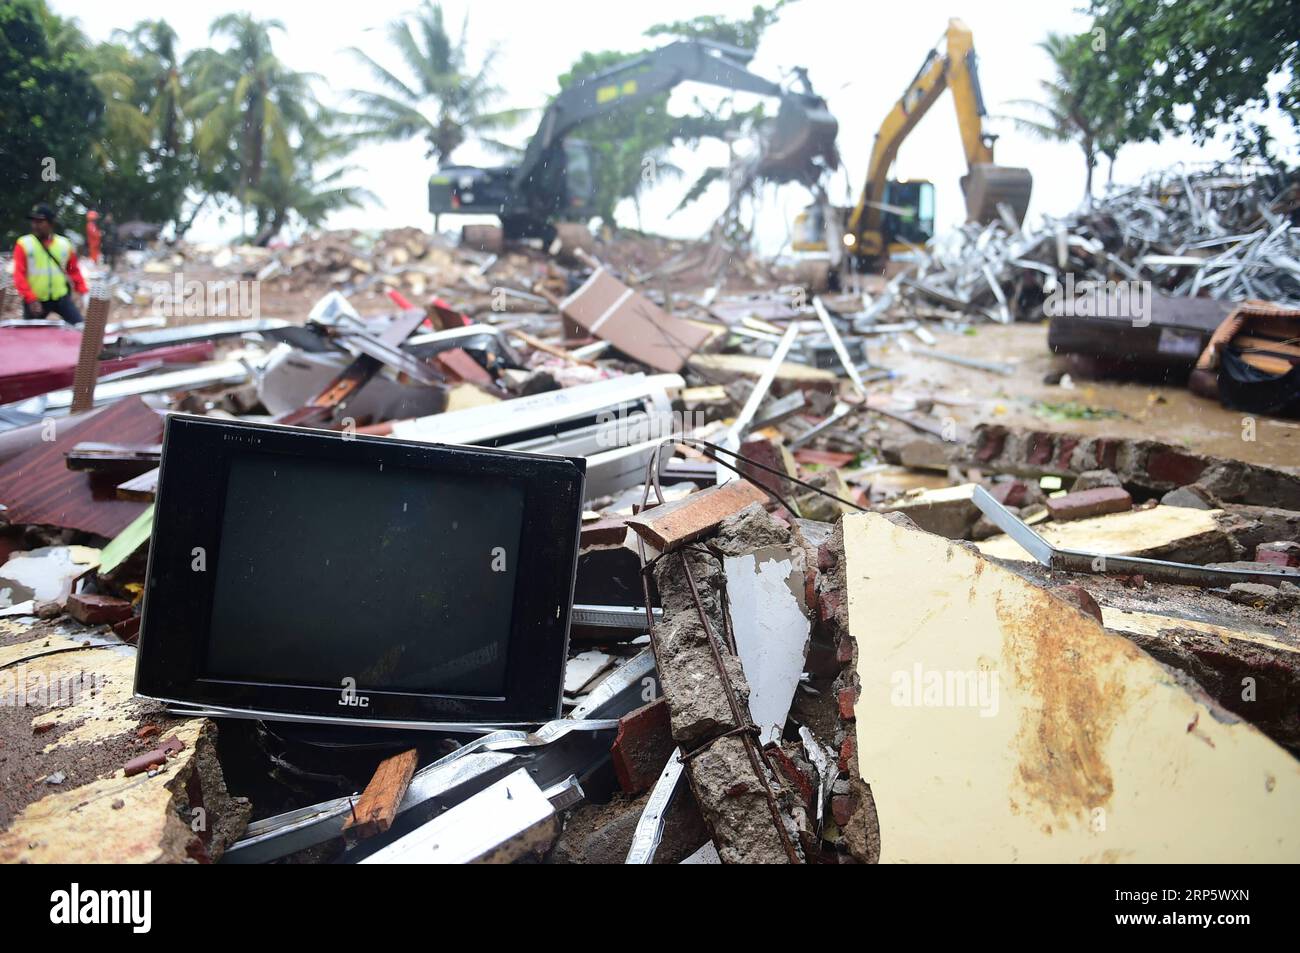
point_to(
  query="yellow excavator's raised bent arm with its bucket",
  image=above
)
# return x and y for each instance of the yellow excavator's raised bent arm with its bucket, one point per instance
(986, 185)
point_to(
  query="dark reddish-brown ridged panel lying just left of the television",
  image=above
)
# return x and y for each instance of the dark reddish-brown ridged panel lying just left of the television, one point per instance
(40, 490)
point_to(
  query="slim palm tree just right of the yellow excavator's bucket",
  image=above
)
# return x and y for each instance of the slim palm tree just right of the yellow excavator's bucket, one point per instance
(1073, 109)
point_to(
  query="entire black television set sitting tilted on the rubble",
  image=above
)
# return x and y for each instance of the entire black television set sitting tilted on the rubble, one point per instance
(320, 577)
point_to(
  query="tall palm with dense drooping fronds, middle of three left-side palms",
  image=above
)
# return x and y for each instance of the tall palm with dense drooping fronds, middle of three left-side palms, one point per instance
(246, 105)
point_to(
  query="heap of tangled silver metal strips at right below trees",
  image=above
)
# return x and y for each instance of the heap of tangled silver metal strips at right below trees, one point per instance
(1224, 235)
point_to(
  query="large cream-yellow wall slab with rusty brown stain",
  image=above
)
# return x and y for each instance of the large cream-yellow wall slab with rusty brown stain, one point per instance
(998, 724)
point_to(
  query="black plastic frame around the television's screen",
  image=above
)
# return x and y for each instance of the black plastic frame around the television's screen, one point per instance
(179, 601)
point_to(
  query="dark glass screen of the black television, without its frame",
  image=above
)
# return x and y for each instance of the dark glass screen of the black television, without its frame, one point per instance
(344, 571)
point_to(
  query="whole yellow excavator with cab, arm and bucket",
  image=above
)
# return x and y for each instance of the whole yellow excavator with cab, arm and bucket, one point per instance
(894, 216)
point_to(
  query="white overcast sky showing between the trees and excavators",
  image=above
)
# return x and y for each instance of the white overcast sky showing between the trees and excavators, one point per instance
(860, 57)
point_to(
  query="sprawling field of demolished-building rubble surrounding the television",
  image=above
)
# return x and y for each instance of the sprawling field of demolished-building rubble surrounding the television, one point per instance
(816, 620)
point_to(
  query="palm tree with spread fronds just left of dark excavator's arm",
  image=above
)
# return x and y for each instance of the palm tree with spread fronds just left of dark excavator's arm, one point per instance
(441, 99)
